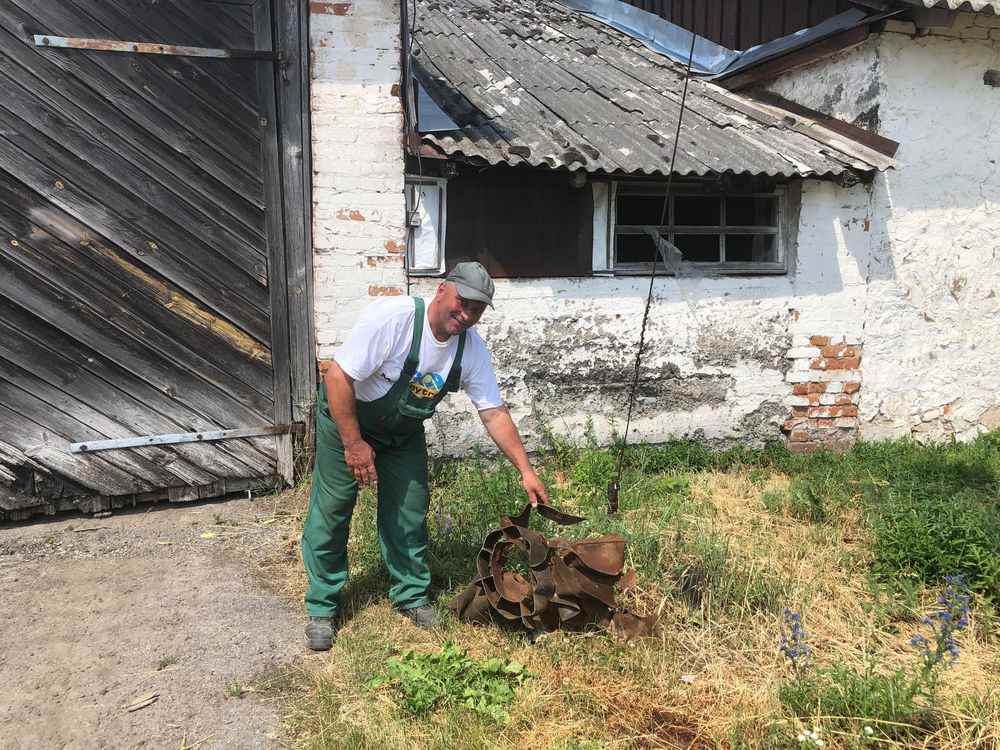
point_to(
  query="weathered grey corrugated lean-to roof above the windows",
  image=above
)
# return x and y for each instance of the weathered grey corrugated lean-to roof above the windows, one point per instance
(534, 82)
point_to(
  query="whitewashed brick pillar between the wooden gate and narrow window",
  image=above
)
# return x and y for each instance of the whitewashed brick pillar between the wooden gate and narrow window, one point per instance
(357, 127)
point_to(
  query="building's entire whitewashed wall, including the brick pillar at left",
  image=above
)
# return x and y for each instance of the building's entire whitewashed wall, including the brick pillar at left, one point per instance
(906, 266)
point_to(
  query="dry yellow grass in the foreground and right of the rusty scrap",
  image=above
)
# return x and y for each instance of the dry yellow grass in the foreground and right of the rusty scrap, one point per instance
(708, 680)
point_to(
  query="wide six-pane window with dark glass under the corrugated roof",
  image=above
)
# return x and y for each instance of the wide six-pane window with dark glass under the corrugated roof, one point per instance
(721, 232)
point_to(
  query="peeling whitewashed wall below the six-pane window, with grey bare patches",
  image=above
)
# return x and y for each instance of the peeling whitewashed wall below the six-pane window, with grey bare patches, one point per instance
(715, 365)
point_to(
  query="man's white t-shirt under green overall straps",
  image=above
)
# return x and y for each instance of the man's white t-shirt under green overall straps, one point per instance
(376, 349)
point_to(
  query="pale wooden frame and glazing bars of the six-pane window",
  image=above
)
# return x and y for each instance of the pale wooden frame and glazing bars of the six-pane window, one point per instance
(782, 231)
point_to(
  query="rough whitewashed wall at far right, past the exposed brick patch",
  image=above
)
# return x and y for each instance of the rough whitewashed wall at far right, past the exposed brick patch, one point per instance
(929, 297)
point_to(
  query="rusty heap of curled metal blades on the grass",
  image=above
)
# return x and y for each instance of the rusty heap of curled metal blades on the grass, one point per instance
(570, 585)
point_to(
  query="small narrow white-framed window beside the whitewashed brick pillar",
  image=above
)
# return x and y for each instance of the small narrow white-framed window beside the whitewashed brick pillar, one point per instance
(426, 217)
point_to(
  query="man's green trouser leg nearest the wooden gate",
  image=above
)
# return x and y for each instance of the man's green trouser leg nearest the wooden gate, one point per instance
(324, 537)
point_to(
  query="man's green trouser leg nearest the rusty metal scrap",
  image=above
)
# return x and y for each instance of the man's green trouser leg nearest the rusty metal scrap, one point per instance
(402, 515)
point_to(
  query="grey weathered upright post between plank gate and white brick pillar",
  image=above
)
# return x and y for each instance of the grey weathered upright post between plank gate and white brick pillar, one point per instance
(288, 185)
